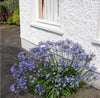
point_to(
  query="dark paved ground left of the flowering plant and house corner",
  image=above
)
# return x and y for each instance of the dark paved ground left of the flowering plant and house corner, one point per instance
(10, 46)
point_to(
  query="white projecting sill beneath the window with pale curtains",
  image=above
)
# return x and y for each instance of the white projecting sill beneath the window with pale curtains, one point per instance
(47, 27)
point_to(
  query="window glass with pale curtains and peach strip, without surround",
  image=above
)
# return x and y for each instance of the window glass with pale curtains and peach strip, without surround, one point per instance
(49, 11)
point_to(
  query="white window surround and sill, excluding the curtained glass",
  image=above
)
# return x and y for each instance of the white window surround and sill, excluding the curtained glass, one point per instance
(43, 24)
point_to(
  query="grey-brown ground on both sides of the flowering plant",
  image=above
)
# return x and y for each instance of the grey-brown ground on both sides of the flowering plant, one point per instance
(10, 46)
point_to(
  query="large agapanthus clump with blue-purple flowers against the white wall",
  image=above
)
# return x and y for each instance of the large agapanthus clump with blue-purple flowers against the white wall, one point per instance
(53, 69)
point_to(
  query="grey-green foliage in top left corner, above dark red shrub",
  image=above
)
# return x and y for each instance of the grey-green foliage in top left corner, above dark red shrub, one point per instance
(10, 5)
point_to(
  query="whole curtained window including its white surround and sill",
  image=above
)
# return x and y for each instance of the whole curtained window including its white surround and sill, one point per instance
(47, 15)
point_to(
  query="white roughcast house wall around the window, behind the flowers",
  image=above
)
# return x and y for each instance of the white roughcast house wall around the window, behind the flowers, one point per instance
(79, 23)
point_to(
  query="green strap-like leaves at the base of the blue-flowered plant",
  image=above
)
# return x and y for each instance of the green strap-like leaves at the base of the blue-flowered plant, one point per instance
(49, 91)
